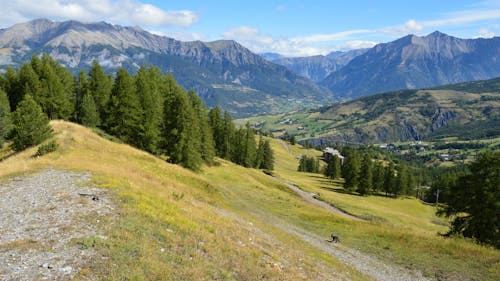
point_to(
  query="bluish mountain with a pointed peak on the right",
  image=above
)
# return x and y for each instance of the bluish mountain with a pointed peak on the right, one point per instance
(417, 62)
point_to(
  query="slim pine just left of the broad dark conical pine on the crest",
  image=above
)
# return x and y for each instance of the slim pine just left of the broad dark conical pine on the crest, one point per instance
(100, 87)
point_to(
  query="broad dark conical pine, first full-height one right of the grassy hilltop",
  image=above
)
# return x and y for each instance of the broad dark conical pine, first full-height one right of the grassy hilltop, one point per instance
(124, 112)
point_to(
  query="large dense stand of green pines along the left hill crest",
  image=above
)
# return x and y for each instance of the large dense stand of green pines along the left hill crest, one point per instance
(148, 110)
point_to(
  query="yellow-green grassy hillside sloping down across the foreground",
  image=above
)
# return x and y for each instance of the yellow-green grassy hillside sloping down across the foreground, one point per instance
(234, 223)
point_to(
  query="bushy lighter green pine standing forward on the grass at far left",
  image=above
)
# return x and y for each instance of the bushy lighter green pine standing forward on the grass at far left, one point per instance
(30, 125)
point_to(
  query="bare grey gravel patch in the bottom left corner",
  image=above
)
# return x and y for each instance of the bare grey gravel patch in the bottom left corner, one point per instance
(41, 218)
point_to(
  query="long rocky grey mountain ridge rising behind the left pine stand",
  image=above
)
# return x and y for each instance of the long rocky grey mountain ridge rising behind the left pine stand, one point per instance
(221, 72)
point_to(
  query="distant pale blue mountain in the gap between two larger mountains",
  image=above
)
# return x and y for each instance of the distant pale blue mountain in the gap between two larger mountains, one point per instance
(318, 67)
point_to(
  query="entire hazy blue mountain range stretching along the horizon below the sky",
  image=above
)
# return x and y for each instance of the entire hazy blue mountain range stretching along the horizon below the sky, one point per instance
(226, 73)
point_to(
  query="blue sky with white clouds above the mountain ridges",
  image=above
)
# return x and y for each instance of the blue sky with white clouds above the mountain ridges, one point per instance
(289, 27)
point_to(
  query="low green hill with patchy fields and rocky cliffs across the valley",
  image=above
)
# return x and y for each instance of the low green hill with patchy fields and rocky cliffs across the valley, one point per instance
(467, 110)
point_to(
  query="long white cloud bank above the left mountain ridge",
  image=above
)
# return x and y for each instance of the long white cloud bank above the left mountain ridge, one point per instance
(130, 12)
